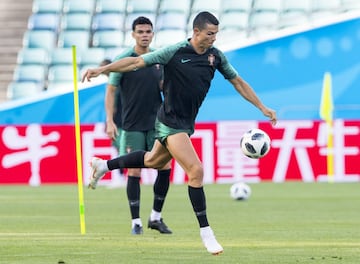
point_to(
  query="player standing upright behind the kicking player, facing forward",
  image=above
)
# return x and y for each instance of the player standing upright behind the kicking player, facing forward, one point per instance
(140, 95)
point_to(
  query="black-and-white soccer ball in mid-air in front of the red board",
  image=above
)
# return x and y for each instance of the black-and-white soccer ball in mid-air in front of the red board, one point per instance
(255, 143)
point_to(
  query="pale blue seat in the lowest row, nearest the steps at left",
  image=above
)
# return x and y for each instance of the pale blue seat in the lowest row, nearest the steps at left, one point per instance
(17, 90)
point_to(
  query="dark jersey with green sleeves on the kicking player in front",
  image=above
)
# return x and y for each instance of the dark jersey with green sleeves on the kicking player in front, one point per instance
(187, 79)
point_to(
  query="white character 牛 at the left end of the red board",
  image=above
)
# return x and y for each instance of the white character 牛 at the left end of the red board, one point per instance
(29, 148)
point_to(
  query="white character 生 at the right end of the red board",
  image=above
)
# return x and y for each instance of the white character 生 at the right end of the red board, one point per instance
(340, 151)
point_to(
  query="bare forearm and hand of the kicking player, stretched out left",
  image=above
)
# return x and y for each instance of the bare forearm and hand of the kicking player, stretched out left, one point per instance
(124, 65)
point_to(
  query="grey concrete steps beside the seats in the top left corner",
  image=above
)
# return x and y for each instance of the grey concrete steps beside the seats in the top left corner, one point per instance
(13, 23)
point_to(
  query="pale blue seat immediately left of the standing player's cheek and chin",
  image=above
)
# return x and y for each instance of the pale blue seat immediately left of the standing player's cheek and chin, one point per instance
(108, 39)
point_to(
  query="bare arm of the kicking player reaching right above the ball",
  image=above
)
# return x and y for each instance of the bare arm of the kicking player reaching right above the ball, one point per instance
(249, 94)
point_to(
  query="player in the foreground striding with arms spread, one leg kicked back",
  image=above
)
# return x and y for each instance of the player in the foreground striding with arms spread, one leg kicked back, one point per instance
(189, 67)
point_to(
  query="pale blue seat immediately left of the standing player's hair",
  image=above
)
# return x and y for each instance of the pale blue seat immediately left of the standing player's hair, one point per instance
(107, 21)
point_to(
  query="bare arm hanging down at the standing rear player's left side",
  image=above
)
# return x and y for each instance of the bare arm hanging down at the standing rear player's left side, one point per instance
(111, 128)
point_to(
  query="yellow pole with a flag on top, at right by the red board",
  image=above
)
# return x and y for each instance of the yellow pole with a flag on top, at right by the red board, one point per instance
(326, 113)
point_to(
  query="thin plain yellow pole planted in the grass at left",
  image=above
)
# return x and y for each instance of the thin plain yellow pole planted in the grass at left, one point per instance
(78, 145)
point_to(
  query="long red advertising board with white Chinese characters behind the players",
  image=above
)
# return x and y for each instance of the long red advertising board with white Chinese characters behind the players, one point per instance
(45, 154)
